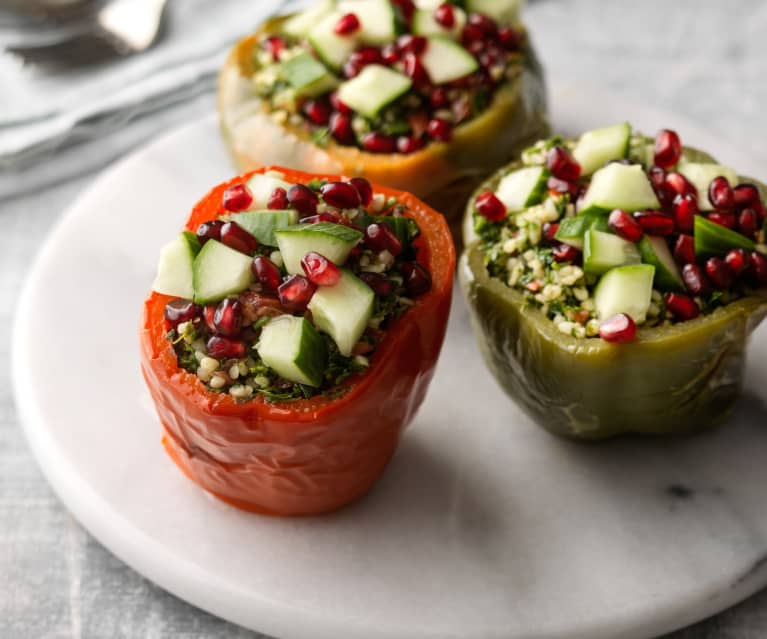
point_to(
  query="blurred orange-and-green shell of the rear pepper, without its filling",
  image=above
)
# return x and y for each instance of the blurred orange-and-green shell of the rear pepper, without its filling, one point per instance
(442, 174)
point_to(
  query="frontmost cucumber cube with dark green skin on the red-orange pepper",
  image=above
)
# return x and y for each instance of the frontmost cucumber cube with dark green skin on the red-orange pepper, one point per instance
(294, 349)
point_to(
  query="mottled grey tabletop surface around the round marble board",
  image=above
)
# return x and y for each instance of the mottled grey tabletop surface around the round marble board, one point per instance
(706, 60)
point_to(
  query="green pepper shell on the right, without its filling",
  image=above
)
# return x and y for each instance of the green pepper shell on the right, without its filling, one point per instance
(670, 380)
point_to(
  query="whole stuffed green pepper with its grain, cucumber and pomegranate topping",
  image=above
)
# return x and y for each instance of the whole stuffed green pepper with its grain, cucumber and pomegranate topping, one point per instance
(614, 280)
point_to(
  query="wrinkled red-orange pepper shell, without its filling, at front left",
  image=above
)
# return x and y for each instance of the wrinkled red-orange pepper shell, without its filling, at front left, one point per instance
(307, 456)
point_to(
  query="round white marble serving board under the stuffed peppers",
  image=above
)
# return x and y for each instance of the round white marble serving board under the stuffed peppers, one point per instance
(483, 527)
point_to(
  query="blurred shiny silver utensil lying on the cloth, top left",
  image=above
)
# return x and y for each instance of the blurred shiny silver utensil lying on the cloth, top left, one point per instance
(119, 28)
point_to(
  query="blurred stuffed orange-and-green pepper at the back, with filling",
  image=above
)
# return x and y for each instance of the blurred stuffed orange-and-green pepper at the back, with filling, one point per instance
(427, 100)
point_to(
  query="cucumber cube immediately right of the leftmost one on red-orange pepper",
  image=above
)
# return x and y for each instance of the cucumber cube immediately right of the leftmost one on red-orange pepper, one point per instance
(219, 271)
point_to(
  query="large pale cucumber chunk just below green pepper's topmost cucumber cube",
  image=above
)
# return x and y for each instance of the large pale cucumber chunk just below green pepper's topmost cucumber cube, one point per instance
(619, 186)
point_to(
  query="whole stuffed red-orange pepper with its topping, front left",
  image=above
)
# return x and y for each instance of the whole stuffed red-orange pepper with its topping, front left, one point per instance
(291, 334)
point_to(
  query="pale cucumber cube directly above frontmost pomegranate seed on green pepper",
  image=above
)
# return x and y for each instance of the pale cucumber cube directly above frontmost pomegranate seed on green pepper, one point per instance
(625, 289)
